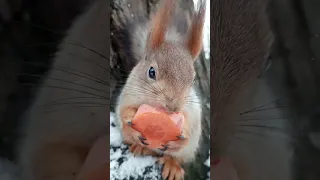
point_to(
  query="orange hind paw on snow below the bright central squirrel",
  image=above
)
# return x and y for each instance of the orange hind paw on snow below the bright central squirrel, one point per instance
(171, 168)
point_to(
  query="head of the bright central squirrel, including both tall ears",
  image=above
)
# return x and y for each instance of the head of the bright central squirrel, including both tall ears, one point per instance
(166, 73)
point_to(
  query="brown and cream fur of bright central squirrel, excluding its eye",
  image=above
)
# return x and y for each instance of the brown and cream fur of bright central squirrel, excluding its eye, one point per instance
(172, 56)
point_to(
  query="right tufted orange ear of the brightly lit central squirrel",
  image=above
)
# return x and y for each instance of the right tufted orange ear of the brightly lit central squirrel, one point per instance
(195, 33)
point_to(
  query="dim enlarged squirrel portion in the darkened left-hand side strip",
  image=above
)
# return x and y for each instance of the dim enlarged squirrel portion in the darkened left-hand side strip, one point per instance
(71, 108)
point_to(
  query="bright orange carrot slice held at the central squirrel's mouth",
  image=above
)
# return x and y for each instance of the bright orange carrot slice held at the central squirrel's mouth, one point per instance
(157, 126)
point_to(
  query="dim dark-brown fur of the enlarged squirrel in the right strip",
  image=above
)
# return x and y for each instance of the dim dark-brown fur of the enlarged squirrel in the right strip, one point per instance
(239, 46)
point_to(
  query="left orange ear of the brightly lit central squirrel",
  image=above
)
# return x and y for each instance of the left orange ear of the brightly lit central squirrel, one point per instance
(160, 23)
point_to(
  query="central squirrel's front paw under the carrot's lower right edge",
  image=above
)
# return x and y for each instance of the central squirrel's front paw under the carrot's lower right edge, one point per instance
(174, 146)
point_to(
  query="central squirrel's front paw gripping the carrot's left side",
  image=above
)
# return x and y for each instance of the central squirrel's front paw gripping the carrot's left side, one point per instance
(131, 136)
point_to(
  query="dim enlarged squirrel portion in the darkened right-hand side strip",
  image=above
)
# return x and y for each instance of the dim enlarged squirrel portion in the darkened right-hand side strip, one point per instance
(240, 45)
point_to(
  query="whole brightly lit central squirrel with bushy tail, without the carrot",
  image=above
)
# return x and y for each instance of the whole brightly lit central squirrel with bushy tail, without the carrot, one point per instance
(163, 77)
